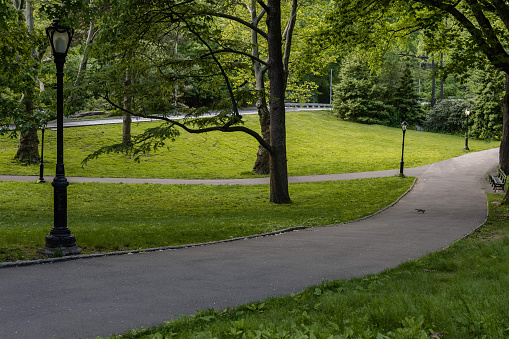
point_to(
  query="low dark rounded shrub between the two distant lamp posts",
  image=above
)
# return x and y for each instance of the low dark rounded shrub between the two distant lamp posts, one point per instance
(448, 116)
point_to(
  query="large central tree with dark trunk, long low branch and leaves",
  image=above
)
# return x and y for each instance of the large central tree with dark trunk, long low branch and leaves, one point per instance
(145, 28)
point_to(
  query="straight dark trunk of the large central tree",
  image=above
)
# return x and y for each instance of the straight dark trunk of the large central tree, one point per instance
(278, 162)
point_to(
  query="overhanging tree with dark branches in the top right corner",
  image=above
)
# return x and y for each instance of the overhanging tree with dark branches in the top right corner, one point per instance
(471, 32)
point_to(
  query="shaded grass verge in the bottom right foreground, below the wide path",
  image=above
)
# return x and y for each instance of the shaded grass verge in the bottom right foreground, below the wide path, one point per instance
(459, 292)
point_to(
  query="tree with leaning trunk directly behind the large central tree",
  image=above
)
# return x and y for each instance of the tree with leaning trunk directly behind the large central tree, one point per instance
(299, 18)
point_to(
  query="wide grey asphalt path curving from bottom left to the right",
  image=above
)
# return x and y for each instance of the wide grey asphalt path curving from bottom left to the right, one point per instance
(101, 296)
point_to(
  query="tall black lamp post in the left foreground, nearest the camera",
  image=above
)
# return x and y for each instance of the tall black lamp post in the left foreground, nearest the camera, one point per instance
(60, 238)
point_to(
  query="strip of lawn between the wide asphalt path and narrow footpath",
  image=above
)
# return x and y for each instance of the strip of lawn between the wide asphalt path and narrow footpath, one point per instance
(111, 217)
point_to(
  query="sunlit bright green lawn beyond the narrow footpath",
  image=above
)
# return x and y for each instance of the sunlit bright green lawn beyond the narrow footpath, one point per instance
(318, 143)
